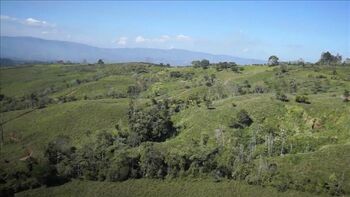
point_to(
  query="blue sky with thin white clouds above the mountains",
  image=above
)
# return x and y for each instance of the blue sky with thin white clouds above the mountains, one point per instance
(290, 30)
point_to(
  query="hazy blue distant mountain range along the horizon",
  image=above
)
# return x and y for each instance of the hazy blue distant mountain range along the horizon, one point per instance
(37, 49)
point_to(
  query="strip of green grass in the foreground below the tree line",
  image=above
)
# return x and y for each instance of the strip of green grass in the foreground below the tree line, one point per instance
(146, 187)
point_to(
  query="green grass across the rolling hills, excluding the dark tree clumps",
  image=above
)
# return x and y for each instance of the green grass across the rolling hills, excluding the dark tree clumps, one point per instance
(311, 142)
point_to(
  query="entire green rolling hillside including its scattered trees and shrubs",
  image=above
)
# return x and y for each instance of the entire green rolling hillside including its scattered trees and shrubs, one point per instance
(138, 129)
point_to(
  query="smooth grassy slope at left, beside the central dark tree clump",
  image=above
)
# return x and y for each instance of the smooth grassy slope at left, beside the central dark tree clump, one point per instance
(73, 119)
